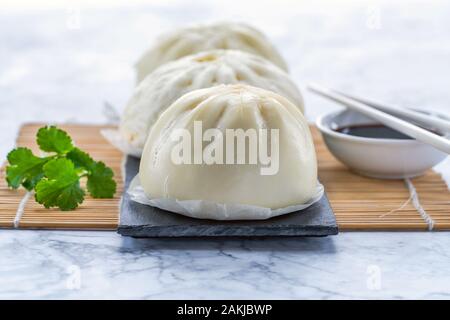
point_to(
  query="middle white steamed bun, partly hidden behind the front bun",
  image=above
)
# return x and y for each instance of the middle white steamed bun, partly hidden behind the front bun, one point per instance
(203, 70)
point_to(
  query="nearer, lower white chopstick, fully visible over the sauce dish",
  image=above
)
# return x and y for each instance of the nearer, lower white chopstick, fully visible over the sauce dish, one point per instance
(391, 121)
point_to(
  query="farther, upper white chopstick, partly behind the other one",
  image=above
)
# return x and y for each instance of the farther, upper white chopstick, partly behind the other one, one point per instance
(418, 117)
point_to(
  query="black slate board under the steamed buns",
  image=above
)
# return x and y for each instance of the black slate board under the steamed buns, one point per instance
(139, 220)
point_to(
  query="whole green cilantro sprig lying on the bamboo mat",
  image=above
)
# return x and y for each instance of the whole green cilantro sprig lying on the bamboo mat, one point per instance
(55, 178)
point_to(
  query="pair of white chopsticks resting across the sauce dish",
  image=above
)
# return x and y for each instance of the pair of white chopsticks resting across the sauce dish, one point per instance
(387, 115)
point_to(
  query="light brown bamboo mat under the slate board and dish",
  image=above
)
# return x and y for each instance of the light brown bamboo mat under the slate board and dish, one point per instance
(359, 203)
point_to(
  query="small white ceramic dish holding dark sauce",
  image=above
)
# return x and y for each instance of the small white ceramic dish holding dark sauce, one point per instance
(373, 157)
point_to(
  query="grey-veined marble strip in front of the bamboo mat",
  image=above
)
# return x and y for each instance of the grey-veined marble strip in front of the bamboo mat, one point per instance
(43, 264)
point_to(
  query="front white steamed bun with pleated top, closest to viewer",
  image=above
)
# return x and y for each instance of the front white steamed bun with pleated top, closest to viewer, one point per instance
(232, 107)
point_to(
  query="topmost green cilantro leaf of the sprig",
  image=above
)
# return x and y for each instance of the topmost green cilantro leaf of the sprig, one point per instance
(52, 139)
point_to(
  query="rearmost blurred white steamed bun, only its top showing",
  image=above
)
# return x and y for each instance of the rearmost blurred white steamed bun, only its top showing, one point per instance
(194, 39)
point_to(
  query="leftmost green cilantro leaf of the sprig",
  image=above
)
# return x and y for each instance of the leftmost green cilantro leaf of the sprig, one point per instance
(24, 168)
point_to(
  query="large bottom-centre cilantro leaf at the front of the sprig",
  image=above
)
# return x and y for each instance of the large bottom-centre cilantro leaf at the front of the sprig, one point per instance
(60, 187)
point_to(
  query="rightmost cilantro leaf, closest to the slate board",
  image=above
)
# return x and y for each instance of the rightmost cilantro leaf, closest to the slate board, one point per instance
(100, 181)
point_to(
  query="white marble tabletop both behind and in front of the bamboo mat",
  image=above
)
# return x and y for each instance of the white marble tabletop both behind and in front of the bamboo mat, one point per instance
(54, 69)
